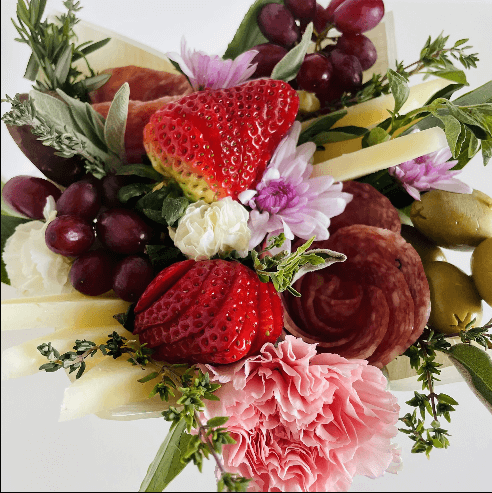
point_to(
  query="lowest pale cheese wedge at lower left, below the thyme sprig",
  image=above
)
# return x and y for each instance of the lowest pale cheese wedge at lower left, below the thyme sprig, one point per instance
(110, 385)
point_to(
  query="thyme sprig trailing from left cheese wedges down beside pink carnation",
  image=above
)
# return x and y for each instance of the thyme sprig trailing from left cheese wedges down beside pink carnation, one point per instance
(193, 385)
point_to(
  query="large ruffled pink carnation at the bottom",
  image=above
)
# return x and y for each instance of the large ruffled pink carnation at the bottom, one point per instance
(304, 421)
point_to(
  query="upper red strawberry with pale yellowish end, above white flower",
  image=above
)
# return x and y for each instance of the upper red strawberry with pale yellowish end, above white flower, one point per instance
(217, 143)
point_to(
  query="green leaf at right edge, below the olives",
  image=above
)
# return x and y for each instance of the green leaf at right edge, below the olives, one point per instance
(475, 366)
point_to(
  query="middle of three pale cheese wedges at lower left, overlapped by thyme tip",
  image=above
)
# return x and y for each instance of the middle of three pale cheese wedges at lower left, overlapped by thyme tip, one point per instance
(25, 359)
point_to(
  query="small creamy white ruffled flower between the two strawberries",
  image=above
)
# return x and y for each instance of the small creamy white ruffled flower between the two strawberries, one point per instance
(206, 230)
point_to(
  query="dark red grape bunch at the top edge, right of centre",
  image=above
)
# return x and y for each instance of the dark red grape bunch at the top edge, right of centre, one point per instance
(336, 65)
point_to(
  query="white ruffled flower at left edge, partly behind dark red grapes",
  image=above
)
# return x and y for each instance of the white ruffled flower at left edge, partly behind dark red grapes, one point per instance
(31, 266)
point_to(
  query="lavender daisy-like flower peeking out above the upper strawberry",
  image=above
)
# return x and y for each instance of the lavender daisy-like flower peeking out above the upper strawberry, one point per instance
(205, 71)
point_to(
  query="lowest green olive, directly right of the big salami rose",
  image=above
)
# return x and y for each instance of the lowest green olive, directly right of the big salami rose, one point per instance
(455, 301)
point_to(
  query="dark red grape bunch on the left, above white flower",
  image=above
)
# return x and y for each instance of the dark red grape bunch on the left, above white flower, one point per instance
(106, 239)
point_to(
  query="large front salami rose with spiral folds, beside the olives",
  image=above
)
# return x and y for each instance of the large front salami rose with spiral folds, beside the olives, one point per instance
(374, 305)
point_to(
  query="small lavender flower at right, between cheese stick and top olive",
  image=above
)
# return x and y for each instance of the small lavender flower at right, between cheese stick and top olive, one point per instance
(429, 172)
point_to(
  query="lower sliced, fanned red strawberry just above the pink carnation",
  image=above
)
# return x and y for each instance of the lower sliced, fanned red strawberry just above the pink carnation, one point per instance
(213, 311)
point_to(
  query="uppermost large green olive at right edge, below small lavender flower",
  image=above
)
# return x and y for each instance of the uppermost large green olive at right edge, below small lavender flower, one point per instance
(457, 221)
